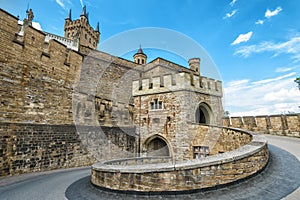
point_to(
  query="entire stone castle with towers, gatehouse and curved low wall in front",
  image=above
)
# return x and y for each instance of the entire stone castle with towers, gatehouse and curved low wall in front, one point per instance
(66, 104)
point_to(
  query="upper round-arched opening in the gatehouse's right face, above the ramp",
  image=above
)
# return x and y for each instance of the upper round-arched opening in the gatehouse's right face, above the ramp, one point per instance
(203, 114)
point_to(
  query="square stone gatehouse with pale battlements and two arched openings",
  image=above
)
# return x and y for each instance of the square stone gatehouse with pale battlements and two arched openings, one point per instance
(169, 101)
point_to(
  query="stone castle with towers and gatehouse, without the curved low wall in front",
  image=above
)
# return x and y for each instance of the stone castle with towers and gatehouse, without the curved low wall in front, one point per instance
(145, 108)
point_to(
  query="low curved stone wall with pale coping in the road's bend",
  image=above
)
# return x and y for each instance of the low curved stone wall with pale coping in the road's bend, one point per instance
(186, 175)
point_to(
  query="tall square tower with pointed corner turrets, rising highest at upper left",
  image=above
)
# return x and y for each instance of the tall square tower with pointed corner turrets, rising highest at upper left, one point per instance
(81, 29)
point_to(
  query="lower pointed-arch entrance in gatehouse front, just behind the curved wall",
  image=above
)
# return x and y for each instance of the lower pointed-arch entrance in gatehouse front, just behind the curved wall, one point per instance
(157, 147)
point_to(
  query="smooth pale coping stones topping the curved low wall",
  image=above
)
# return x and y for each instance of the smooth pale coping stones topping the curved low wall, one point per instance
(258, 142)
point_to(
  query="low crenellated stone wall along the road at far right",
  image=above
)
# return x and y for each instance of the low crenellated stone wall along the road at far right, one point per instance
(284, 125)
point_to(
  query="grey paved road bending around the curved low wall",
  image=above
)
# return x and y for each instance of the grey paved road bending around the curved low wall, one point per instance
(279, 180)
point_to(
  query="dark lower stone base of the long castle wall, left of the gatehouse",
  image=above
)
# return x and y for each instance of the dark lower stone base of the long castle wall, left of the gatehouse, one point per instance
(31, 147)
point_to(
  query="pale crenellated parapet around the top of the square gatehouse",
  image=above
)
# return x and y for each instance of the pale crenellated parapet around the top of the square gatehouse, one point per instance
(177, 82)
